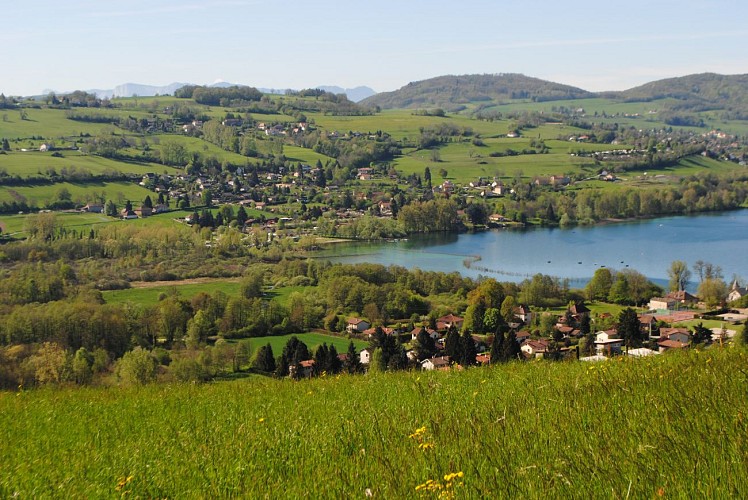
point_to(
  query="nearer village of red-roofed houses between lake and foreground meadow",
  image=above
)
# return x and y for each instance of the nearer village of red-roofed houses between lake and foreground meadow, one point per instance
(573, 336)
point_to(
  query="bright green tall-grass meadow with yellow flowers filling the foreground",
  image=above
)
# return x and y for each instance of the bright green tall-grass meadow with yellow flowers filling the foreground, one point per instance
(674, 425)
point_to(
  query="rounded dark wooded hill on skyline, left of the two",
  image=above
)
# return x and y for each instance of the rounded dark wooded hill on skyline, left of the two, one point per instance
(450, 92)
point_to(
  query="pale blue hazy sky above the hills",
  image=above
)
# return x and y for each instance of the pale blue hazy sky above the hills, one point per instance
(383, 44)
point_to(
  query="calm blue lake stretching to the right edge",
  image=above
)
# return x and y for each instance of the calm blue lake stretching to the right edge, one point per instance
(648, 246)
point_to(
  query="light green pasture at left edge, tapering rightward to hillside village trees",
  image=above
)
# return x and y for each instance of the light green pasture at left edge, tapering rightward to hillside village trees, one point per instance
(34, 163)
